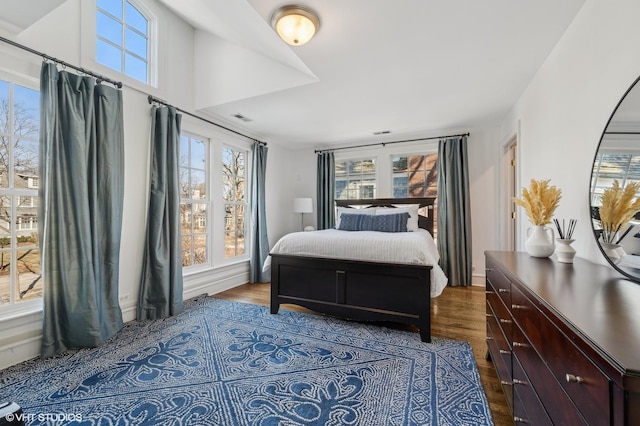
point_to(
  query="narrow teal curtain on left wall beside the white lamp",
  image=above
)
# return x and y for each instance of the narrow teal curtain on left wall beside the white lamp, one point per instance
(260, 246)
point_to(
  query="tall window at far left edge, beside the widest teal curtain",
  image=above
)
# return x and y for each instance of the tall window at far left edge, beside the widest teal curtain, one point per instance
(20, 274)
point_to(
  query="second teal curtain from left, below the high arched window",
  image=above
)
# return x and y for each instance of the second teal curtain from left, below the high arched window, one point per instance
(161, 282)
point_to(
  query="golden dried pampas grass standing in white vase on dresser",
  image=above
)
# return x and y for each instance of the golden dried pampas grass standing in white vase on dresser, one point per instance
(539, 201)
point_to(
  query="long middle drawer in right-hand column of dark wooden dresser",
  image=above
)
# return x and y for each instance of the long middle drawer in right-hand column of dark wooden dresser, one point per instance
(558, 405)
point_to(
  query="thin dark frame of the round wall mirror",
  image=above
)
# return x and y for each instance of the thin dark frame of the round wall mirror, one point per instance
(630, 272)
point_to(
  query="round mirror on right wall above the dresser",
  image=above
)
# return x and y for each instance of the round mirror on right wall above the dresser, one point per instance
(614, 180)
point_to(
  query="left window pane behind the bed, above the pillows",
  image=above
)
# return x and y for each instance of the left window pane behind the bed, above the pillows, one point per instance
(355, 179)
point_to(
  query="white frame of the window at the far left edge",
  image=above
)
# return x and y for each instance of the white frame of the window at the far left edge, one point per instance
(12, 308)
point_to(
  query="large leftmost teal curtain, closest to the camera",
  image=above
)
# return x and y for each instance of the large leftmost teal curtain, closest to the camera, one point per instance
(80, 211)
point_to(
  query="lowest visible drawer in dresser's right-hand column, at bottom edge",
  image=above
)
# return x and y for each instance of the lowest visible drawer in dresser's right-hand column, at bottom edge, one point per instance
(527, 408)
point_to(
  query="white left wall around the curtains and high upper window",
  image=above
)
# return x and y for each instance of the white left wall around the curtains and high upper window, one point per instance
(20, 335)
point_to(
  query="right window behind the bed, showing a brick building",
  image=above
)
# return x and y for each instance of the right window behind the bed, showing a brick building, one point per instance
(415, 176)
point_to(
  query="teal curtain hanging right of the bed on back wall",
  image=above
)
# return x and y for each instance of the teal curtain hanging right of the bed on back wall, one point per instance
(454, 211)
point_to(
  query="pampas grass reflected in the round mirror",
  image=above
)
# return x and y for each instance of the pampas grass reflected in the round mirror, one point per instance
(618, 208)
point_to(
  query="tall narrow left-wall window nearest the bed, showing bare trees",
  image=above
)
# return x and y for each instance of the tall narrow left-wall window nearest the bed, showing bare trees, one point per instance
(235, 203)
